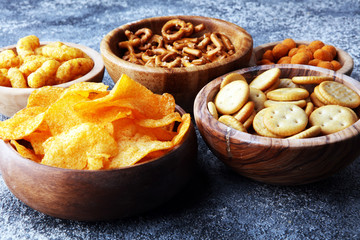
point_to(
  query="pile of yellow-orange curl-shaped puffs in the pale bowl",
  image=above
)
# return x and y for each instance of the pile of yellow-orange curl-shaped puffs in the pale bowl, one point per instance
(36, 66)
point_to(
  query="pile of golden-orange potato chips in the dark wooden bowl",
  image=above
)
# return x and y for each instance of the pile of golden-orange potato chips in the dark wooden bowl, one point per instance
(87, 127)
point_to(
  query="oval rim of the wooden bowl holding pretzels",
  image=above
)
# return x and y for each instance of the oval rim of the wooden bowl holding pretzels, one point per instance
(105, 49)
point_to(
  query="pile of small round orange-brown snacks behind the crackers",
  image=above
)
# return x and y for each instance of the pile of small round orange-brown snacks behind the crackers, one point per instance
(316, 53)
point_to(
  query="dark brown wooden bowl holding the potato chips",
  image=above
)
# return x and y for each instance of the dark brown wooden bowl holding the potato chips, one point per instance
(89, 195)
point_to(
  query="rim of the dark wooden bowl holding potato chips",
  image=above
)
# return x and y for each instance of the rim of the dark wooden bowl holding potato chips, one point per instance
(177, 148)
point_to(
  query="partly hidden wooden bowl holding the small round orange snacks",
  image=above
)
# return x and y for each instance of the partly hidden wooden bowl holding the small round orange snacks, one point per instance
(343, 57)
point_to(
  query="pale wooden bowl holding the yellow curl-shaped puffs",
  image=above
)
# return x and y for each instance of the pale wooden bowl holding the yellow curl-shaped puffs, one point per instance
(14, 99)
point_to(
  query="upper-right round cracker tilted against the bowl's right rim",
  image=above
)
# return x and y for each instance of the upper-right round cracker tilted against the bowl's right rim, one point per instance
(339, 94)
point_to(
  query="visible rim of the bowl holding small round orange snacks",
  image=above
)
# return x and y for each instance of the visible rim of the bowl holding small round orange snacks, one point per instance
(345, 69)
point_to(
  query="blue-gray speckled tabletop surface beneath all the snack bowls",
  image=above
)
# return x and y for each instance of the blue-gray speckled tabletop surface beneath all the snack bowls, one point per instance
(218, 204)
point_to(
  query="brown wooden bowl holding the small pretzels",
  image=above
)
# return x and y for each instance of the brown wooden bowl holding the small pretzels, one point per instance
(182, 83)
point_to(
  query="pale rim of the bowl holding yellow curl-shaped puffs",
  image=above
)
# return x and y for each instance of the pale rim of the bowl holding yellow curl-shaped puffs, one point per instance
(94, 55)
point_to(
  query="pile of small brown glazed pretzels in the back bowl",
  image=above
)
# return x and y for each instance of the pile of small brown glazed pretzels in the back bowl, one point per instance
(175, 47)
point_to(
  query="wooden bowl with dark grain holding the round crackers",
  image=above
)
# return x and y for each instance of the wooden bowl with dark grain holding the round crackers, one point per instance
(274, 160)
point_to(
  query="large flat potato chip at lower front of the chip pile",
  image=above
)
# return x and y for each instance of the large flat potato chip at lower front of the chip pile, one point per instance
(70, 149)
